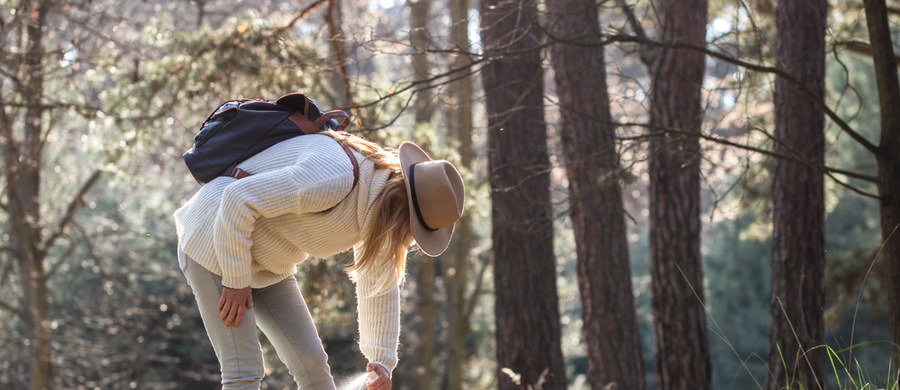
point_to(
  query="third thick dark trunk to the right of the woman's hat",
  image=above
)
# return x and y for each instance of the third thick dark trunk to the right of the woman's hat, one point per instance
(679, 320)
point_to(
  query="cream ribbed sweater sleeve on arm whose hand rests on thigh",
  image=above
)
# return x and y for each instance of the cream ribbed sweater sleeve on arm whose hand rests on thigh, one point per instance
(299, 188)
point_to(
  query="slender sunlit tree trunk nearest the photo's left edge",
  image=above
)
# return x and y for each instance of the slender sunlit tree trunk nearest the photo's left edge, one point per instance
(25, 201)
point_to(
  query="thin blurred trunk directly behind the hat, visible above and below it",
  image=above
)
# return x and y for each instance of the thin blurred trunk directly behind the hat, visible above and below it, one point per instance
(425, 302)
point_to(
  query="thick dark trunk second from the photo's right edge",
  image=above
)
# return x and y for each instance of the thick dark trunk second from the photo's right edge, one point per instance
(796, 310)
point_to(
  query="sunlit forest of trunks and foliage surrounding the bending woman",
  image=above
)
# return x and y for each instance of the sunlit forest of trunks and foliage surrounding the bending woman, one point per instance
(660, 194)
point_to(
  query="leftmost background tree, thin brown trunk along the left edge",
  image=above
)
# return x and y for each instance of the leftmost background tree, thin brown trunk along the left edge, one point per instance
(23, 178)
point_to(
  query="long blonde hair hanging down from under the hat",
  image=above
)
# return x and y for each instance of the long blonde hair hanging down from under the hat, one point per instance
(391, 233)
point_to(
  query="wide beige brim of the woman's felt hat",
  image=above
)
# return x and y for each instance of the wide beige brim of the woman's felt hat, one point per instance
(433, 243)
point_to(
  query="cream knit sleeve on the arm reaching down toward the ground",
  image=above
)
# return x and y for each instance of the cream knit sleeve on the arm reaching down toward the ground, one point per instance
(378, 307)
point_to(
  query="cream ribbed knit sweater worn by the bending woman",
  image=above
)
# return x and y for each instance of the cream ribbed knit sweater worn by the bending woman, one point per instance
(254, 231)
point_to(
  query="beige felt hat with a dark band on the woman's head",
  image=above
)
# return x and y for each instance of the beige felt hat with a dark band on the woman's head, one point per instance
(436, 197)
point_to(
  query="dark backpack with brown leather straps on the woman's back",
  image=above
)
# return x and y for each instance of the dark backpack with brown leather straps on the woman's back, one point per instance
(239, 129)
